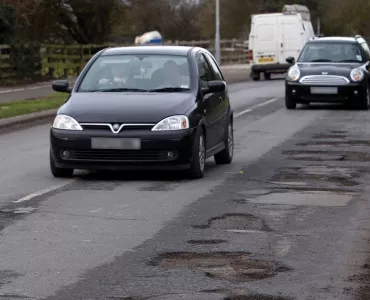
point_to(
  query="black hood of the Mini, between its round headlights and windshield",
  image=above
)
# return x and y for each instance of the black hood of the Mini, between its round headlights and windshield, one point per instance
(340, 69)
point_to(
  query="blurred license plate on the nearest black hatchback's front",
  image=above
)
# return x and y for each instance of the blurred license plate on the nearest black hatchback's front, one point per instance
(116, 143)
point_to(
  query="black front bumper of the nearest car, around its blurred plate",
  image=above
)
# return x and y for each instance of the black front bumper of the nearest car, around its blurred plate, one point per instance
(159, 150)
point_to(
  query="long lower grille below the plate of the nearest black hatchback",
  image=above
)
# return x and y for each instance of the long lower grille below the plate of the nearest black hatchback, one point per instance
(118, 155)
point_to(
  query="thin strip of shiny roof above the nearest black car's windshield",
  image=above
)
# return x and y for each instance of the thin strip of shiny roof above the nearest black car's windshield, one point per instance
(170, 50)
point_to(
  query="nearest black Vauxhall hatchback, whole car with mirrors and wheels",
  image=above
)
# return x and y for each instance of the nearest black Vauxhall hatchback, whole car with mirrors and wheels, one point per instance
(152, 107)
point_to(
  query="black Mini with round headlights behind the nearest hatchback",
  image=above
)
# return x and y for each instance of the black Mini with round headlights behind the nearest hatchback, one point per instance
(330, 70)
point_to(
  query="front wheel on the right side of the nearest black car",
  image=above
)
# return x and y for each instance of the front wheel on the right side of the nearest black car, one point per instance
(198, 163)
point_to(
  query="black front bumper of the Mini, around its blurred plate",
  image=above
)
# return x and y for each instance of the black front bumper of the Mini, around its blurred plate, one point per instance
(301, 93)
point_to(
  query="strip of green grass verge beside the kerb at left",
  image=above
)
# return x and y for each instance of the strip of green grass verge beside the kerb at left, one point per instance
(23, 107)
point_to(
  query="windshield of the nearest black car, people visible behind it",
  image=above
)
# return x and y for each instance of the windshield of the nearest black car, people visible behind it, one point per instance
(149, 73)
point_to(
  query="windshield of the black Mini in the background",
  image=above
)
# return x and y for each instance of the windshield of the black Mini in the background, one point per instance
(331, 52)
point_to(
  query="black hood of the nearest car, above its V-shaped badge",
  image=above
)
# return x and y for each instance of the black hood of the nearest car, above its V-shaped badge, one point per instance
(125, 107)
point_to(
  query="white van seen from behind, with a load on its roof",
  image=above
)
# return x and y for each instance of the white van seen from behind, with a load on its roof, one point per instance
(276, 36)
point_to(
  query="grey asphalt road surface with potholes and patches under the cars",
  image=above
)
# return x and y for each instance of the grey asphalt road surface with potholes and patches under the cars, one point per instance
(283, 220)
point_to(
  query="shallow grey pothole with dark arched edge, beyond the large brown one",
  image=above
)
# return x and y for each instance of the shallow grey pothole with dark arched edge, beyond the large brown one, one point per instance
(235, 222)
